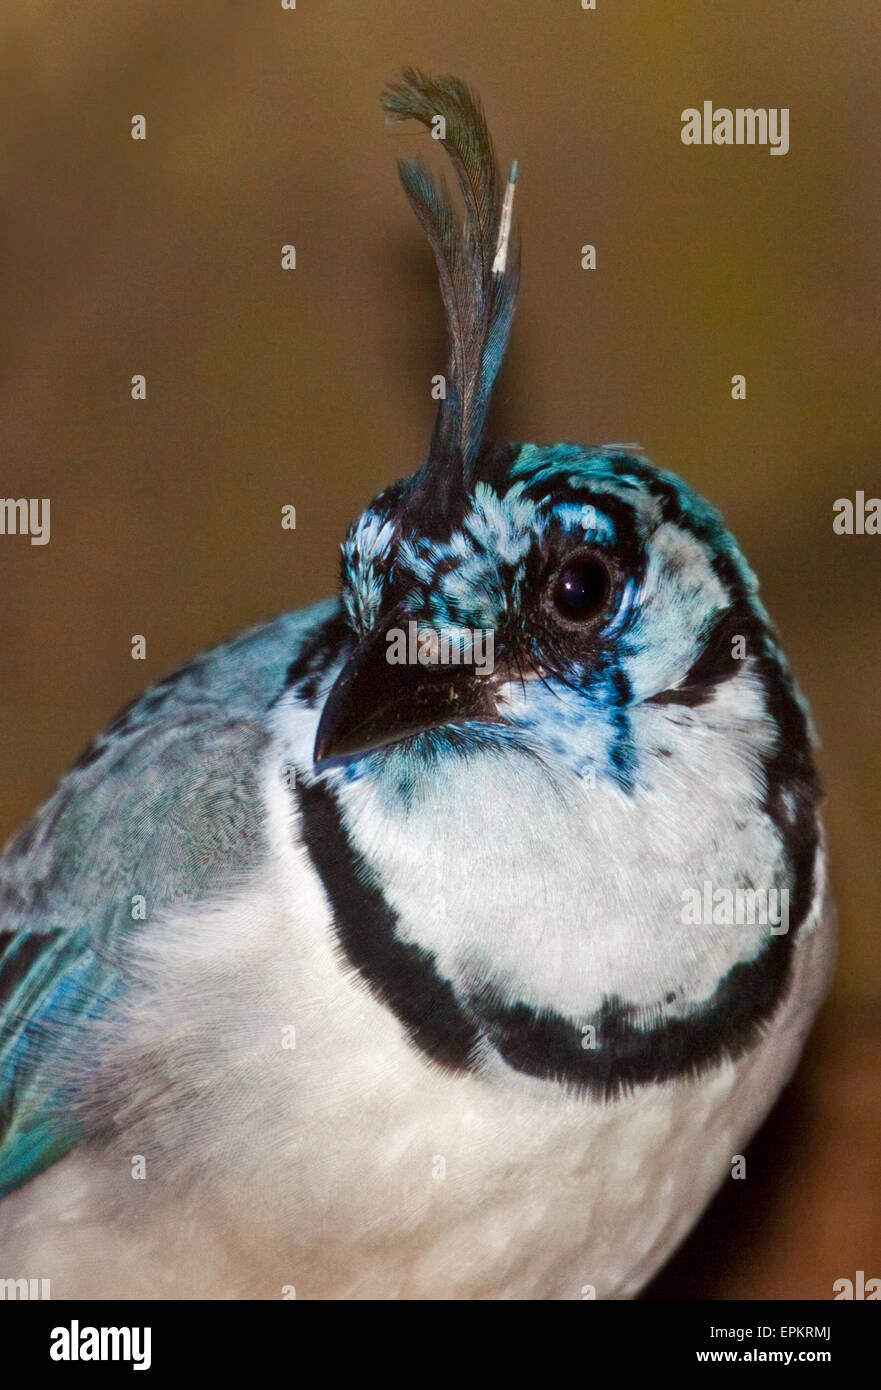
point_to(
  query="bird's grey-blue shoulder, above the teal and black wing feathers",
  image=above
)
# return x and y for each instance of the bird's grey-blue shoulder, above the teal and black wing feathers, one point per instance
(166, 794)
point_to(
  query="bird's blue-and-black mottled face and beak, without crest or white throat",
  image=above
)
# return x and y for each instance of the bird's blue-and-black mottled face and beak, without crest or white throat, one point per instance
(576, 591)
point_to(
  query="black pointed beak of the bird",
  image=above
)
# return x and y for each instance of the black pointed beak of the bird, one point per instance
(376, 703)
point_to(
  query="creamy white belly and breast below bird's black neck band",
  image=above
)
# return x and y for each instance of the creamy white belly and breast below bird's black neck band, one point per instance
(345, 1167)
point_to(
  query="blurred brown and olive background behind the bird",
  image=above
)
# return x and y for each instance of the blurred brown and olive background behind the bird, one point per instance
(312, 387)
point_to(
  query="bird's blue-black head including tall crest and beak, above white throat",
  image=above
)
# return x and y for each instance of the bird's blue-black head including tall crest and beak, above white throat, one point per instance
(563, 603)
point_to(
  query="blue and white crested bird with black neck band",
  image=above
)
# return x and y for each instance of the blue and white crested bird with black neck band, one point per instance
(347, 965)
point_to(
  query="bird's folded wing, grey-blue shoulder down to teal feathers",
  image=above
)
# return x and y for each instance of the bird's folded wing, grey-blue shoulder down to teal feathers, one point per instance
(163, 810)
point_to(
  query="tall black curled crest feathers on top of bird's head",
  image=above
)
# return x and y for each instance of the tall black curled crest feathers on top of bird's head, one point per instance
(479, 273)
